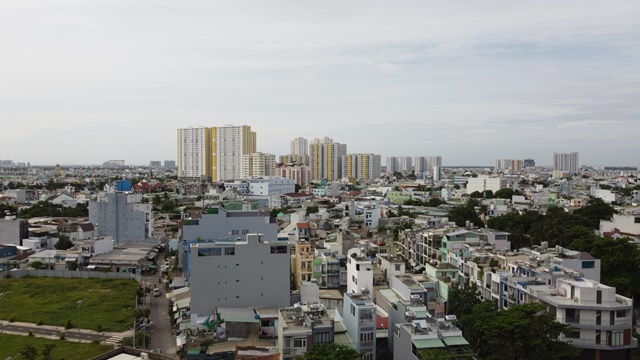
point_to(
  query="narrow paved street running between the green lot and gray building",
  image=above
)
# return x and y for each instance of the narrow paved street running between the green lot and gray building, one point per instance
(163, 337)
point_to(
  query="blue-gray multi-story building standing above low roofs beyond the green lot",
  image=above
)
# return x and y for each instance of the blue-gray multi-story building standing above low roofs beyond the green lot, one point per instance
(121, 215)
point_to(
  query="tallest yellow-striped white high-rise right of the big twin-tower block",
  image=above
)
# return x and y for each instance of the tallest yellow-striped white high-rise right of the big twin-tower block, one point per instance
(326, 159)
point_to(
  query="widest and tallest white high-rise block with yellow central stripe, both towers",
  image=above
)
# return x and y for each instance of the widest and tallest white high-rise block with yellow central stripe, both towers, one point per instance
(216, 153)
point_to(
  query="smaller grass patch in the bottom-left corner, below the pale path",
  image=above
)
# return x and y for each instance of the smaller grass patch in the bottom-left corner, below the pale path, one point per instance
(13, 344)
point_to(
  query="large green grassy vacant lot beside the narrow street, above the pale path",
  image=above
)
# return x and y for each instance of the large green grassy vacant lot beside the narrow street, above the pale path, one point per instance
(97, 304)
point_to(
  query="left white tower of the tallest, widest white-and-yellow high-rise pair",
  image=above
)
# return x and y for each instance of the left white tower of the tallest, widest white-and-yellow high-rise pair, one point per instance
(193, 153)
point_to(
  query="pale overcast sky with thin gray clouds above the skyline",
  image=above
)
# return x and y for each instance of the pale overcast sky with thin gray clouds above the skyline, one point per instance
(83, 82)
